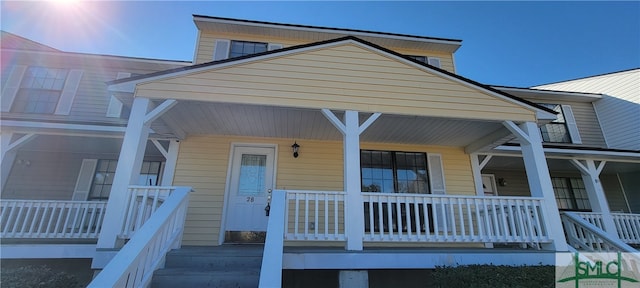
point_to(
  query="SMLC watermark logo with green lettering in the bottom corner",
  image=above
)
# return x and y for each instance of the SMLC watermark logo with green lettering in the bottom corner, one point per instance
(577, 270)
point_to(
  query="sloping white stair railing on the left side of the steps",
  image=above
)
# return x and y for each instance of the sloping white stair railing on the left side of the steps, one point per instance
(134, 264)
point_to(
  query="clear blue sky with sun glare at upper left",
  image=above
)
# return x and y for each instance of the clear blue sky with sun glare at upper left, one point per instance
(504, 43)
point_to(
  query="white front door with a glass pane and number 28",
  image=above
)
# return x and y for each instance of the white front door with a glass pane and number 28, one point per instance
(252, 172)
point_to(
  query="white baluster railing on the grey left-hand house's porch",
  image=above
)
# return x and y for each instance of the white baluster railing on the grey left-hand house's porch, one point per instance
(51, 219)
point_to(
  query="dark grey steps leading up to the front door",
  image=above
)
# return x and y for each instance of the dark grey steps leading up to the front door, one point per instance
(220, 266)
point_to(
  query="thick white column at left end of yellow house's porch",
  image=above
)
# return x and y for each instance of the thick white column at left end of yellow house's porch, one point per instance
(127, 172)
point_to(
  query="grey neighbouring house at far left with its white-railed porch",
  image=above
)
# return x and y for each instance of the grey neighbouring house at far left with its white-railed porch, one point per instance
(61, 137)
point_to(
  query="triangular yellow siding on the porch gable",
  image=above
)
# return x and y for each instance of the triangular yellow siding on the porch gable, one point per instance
(341, 77)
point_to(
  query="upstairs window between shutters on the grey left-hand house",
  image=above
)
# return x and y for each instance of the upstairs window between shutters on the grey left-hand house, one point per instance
(40, 90)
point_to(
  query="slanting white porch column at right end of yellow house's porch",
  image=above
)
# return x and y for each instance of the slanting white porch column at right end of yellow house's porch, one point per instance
(539, 180)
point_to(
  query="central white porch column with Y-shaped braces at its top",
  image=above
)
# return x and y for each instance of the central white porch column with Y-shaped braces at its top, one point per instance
(354, 207)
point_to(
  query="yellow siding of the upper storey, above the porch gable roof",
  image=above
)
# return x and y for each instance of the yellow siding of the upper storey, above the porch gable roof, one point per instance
(205, 47)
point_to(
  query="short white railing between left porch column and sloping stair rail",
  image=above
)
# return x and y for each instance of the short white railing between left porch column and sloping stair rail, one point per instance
(143, 201)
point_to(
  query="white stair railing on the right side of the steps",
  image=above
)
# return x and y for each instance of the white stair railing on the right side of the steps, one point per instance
(271, 271)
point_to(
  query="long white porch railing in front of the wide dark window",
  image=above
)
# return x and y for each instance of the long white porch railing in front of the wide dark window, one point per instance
(445, 218)
